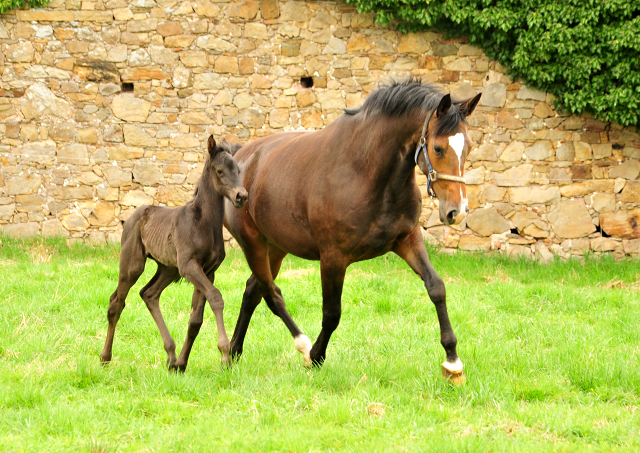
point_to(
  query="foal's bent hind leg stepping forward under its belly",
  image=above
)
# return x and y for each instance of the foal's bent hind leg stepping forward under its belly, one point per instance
(151, 296)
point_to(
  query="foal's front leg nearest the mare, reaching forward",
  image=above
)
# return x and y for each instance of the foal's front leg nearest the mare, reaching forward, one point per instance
(193, 272)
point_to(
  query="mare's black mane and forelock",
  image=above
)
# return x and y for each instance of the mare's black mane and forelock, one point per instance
(399, 98)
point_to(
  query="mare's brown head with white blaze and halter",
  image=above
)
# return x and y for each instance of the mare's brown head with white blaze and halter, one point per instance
(447, 143)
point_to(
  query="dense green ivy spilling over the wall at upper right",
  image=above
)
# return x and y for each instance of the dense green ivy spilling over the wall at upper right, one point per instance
(585, 52)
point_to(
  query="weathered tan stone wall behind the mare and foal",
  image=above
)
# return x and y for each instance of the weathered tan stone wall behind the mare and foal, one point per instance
(106, 105)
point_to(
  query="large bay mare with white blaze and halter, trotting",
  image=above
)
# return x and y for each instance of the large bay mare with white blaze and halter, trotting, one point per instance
(348, 193)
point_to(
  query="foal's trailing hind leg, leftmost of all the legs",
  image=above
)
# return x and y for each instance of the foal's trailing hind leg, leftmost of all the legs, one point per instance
(132, 262)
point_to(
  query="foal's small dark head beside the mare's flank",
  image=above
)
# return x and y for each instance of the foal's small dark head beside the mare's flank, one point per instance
(225, 172)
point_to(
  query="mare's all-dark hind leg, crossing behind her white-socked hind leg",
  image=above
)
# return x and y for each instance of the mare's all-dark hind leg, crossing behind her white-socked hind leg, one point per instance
(250, 300)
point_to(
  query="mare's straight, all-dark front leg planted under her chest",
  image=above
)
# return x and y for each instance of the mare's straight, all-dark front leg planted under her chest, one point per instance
(332, 270)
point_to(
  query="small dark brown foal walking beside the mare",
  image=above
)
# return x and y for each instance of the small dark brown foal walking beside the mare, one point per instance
(185, 242)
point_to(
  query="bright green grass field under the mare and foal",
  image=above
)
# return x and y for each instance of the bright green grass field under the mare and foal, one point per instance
(551, 355)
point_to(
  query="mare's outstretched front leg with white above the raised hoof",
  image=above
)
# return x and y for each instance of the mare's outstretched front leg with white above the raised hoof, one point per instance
(414, 252)
